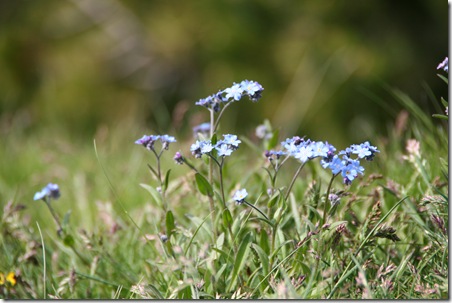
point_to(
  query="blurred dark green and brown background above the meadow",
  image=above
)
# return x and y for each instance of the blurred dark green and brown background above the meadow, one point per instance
(89, 65)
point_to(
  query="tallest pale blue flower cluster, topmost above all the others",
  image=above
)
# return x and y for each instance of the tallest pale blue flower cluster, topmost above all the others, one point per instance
(252, 89)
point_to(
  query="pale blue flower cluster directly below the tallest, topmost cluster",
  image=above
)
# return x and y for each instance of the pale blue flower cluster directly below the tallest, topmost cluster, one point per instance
(223, 147)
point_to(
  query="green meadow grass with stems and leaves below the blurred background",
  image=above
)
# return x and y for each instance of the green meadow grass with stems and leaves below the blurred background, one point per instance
(132, 231)
